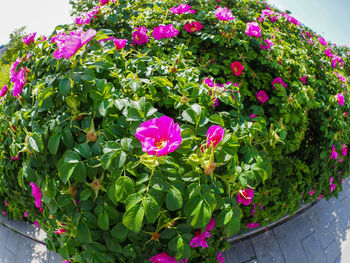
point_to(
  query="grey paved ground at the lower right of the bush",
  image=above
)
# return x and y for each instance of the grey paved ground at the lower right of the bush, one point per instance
(320, 235)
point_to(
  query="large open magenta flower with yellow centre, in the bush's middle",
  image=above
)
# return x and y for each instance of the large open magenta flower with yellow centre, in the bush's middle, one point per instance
(159, 136)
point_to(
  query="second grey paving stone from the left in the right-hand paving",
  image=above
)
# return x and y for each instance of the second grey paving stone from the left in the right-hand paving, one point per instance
(267, 249)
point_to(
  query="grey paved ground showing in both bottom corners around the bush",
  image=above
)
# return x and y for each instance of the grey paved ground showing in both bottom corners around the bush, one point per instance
(320, 235)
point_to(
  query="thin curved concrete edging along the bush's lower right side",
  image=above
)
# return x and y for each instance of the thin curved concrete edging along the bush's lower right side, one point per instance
(239, 238)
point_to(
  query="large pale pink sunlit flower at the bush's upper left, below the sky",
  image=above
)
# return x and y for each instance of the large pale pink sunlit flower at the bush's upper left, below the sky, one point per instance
(68, 45)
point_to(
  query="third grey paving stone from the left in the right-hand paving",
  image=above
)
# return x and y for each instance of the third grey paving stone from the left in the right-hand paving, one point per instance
(290, 243)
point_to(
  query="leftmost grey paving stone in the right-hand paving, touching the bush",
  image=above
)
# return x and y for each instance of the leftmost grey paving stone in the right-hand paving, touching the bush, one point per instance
(240, 252)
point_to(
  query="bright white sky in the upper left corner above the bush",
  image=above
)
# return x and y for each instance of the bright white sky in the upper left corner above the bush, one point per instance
(41, 16)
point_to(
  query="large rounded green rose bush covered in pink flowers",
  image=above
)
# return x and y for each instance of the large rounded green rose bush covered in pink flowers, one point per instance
(125, 154)
